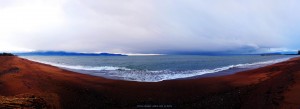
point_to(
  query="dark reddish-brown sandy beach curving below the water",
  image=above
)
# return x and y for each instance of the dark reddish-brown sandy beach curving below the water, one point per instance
(30, 84)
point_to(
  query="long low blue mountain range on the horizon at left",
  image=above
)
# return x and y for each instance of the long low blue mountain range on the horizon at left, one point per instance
(63, 53)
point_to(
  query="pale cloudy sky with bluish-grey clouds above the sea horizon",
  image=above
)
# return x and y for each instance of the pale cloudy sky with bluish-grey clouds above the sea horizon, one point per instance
(150, 26)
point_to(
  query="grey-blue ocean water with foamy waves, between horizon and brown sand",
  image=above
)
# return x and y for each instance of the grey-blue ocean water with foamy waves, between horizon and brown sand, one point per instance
(157, 68)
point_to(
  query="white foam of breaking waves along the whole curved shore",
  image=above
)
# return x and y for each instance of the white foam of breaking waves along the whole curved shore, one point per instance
(154, 76)
